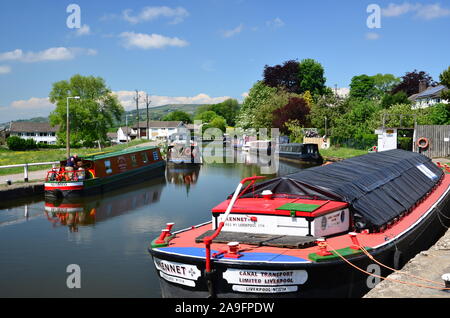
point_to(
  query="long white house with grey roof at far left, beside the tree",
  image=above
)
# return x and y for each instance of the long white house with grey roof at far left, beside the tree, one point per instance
(40, 132)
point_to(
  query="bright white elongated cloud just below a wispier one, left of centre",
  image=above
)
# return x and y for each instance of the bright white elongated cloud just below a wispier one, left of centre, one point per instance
(150, 41)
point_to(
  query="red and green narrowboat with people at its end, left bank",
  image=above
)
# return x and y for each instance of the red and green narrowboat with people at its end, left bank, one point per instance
(102, 172)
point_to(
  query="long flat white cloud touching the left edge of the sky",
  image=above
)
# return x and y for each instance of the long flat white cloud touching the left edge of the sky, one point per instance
(51, 54)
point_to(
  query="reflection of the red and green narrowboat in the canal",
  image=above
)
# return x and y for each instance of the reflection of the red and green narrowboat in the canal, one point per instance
(88, 211)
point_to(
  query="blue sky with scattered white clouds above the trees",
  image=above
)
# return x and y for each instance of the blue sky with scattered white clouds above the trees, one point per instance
(205, 51)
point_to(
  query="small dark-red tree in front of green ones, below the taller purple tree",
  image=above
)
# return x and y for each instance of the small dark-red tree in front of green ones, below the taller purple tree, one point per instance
(296, 109)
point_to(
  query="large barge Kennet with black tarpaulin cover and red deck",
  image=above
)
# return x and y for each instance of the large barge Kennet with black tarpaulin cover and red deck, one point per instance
(315, 233)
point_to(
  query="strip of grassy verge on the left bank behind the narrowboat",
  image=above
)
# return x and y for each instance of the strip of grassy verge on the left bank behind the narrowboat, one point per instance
(8, 157)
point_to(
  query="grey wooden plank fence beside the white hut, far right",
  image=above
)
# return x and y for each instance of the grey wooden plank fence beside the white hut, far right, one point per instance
(438, 140)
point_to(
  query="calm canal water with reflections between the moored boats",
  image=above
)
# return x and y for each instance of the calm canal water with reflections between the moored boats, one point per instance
(107, 236)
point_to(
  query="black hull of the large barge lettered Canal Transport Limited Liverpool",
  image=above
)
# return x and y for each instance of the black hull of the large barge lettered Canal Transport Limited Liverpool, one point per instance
(327, 279)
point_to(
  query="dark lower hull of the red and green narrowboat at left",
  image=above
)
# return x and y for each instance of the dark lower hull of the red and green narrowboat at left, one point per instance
(58, 190)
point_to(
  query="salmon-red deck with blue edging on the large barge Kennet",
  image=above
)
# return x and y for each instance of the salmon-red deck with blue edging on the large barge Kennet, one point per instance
(188, 242)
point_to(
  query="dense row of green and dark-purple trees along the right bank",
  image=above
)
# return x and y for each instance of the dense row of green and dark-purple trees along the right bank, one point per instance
(293, 95)
